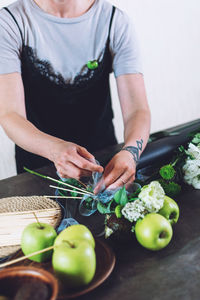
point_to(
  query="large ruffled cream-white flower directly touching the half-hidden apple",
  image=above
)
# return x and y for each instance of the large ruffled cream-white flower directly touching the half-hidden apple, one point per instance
(152, 196)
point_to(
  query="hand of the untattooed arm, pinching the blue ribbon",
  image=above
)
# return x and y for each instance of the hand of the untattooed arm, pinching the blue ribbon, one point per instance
(73, 161)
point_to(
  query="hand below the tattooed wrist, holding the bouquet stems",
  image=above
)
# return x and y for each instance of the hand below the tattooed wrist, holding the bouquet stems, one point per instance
(119, 171)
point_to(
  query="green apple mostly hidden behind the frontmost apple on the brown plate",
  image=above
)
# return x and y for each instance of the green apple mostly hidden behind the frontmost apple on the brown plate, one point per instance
(75, 232)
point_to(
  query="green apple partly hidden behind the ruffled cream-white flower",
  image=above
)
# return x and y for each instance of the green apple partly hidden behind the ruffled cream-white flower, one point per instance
(170, 210)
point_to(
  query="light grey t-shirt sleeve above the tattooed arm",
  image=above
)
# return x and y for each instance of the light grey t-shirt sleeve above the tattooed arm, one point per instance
(124, 46)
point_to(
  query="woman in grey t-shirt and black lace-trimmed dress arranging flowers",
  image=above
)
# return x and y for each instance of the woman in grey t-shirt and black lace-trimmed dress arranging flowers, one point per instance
(55, 104)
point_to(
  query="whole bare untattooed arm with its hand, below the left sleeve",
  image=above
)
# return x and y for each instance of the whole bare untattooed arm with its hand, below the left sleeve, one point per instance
(70, 159)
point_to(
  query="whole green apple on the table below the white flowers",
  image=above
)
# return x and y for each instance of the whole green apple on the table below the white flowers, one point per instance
(153, 232)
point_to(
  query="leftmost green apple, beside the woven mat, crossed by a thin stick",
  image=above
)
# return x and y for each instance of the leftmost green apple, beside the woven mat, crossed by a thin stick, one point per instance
(38, 236)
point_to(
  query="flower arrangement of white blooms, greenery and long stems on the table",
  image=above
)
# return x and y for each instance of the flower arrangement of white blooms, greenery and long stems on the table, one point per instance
(124, 208)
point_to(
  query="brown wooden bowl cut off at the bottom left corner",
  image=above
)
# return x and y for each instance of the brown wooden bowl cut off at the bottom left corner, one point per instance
(25, 283)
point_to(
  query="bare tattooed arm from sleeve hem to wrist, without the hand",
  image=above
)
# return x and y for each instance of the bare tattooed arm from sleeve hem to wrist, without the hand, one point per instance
(135, 111)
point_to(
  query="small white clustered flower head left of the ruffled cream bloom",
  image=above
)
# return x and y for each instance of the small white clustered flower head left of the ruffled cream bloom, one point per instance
(133, 210)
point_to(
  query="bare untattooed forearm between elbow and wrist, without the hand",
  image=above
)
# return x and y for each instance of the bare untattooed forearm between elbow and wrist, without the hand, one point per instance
(24, 134)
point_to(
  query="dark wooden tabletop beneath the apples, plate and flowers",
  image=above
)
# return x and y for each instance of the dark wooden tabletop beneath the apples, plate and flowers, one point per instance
(173, 273)
